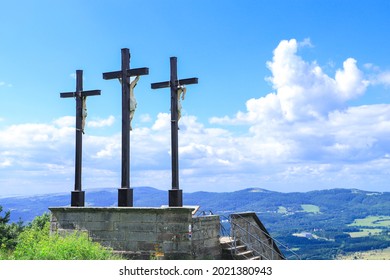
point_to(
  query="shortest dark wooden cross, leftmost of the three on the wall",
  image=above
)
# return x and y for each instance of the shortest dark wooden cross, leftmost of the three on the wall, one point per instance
(78, 196)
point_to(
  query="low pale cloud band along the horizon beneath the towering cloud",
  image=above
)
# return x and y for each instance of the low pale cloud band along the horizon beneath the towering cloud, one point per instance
(341, 151)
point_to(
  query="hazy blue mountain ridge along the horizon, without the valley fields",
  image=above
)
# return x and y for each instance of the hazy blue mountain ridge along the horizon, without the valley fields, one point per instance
(350, 203)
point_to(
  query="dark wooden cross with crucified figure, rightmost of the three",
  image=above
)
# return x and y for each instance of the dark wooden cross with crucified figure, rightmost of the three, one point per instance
(175, 194)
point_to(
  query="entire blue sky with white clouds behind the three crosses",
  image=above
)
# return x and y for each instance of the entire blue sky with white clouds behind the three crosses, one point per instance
(292, 95)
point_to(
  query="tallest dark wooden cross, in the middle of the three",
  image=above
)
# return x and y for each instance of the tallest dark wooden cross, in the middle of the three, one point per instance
(125, 193)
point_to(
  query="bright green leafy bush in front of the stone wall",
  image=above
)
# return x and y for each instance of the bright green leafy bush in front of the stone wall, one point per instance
(35, 243)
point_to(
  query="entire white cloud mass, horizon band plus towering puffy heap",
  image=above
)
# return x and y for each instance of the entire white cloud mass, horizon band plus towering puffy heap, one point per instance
(302, 136)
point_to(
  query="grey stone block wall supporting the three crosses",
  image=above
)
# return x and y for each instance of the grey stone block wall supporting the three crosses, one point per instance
(143, 233)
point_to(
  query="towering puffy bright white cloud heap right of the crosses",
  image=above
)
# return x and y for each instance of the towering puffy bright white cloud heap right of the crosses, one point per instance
(302, 90)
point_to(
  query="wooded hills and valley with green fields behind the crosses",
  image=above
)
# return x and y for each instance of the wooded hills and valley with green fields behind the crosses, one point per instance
(324, 224)
